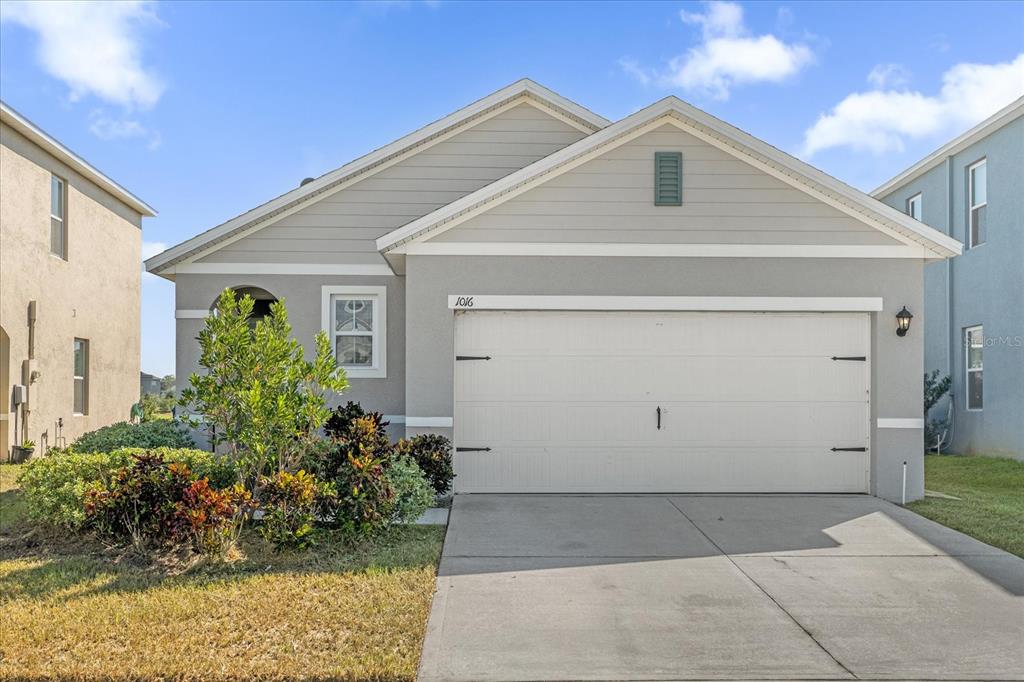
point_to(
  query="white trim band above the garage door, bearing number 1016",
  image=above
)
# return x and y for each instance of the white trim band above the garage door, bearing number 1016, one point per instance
(707, 304)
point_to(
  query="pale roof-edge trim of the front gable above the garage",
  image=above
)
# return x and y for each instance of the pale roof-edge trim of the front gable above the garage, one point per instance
(719, 134)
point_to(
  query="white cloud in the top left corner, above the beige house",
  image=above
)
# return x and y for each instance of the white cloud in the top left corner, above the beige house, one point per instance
(94, 48)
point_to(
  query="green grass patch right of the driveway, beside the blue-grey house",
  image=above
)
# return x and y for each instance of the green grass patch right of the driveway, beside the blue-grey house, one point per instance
(992, 492)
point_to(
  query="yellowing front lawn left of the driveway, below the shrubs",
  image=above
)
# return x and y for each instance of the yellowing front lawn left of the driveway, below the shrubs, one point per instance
(71, 609)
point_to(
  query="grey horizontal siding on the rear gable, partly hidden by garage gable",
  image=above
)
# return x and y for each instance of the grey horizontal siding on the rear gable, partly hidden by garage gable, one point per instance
(343, 227)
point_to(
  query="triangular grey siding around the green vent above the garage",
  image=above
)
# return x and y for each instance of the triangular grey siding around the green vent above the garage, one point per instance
(612, 200)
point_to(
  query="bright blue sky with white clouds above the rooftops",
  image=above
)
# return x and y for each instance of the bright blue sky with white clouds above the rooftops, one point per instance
(206, 111)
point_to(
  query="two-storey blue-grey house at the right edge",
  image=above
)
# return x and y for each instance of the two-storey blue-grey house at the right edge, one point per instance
(973, 191)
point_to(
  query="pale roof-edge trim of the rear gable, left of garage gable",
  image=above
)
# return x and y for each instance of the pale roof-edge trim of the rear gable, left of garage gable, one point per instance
(364, 166)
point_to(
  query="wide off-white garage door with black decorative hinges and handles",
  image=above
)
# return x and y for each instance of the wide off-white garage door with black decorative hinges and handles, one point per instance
(662, 402)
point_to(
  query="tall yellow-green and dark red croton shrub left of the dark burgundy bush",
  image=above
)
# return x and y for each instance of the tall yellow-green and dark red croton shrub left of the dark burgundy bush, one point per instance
(357, 465)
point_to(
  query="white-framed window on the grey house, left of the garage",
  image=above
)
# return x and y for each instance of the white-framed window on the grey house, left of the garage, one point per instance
(357, 325)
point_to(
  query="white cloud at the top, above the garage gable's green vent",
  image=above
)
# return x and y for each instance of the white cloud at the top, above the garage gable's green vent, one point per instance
(730, 56)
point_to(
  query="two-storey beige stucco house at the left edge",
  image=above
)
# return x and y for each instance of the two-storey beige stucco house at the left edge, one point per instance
(70, 279)
